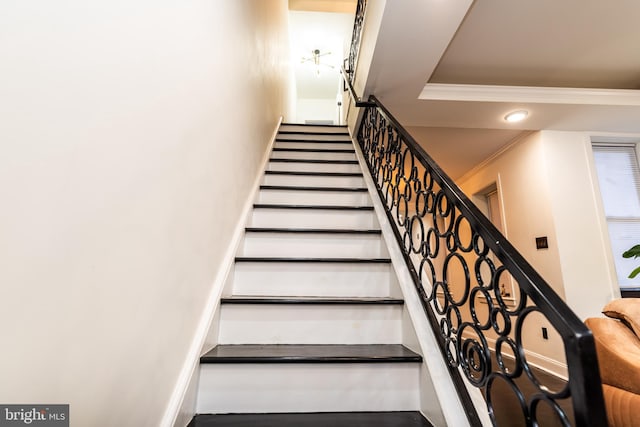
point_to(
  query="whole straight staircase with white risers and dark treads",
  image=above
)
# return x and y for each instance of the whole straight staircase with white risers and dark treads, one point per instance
(311, 332)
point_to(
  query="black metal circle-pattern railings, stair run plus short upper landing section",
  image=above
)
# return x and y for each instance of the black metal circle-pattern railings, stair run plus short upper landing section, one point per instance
(484, 301)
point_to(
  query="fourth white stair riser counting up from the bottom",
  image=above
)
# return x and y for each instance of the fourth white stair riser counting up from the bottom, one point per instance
(313, 245)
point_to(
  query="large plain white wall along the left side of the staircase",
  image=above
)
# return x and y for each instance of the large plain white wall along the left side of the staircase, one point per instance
(130, 135)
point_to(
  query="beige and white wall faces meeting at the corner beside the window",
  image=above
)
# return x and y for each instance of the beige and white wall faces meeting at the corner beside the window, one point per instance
(546, 182)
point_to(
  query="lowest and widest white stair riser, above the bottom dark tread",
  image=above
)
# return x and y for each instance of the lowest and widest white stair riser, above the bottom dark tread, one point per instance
(254, 388)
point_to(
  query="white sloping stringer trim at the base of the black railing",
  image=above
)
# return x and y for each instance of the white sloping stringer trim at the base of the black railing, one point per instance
(444, 389)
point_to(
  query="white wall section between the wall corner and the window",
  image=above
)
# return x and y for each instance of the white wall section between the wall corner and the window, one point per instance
(587, 267)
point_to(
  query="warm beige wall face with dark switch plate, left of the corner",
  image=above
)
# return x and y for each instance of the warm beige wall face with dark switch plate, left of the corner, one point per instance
(523, 187)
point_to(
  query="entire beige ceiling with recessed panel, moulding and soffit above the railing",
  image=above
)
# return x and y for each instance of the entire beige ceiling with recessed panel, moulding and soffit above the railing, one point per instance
(464, 65)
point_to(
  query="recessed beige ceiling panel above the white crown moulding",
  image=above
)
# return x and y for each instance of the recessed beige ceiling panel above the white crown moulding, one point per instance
(567, 43)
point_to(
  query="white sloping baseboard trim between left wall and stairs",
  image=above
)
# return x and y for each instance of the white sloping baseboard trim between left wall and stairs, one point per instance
(176, 401)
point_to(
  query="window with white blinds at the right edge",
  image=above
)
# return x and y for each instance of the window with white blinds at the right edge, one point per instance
(619, 178)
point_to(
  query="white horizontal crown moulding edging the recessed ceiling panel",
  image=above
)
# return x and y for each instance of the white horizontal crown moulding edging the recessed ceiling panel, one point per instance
(528, 94)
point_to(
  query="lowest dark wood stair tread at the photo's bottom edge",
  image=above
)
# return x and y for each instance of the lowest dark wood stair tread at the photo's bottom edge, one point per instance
(317, 419)
